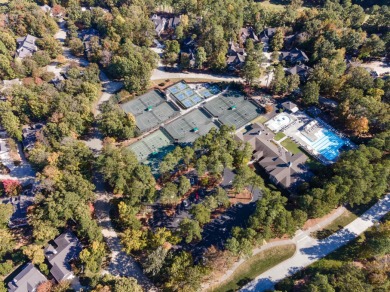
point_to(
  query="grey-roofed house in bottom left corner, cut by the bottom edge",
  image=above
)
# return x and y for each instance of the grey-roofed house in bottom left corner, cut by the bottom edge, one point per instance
(27, 280)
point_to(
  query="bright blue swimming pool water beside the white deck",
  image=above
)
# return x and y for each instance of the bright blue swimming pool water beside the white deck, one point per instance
(329, 144)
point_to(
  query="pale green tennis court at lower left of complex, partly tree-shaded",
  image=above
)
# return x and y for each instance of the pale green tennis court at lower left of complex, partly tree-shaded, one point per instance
(152, 147)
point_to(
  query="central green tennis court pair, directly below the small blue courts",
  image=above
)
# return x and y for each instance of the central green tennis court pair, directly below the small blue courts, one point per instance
(190, 126)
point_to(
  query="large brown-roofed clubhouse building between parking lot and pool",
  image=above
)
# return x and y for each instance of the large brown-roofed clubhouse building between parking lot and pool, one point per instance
(284, 168)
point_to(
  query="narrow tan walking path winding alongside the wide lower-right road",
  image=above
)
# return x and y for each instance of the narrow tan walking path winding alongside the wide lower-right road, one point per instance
(299, 236)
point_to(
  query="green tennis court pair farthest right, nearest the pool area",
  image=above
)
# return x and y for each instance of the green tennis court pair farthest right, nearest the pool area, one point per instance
(233, 109)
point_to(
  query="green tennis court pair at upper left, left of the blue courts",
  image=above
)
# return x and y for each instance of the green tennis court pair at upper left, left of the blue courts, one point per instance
(150, 110)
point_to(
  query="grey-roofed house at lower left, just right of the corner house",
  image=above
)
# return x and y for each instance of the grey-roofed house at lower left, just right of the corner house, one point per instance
(66, 248)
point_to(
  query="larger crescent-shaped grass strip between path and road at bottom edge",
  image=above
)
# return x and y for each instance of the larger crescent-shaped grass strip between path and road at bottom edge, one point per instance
(256, 265)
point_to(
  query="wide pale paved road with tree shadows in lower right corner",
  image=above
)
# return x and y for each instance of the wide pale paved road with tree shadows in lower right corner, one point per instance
(310, 249)
